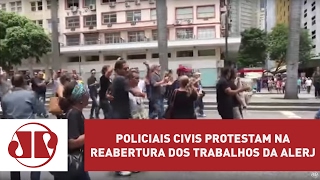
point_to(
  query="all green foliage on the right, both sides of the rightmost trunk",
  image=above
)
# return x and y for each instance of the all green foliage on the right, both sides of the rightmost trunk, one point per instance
(255, 44)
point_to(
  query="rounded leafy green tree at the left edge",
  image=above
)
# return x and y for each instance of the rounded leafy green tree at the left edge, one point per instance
(20, 38)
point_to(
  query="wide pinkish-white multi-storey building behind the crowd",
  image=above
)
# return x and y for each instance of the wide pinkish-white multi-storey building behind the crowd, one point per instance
(96, 32)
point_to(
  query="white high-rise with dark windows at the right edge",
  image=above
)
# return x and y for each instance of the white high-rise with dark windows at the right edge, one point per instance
(310, 12)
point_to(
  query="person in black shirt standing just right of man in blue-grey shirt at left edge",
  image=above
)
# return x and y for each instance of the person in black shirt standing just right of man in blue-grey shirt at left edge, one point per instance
(39, 86)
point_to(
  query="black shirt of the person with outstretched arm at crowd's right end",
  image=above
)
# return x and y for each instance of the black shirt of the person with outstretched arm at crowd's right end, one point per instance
(224, 100)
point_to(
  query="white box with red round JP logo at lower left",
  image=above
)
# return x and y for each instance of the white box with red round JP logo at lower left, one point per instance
(36, 145)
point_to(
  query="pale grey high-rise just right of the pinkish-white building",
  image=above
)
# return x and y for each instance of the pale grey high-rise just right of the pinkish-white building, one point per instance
(243, 15)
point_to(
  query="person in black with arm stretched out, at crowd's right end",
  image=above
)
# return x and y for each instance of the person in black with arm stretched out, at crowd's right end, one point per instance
(225, 94)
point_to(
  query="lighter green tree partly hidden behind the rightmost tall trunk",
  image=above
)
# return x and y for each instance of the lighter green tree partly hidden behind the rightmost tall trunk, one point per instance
(278, 41)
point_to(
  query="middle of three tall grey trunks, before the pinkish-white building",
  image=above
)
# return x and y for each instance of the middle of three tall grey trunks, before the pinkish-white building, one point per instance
(162, 17)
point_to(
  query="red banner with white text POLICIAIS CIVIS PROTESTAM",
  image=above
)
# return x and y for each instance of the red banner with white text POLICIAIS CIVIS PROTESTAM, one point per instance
(302, 134)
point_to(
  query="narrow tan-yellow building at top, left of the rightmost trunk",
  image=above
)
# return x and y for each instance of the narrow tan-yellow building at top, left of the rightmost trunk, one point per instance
(283, 10)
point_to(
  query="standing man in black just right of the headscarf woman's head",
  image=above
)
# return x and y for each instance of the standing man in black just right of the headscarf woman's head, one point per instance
(93, 91)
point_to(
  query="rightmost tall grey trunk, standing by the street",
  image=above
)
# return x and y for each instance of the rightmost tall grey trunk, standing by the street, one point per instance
(293, 51)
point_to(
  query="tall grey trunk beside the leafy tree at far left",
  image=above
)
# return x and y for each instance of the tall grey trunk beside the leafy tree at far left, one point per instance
(55, 54)
